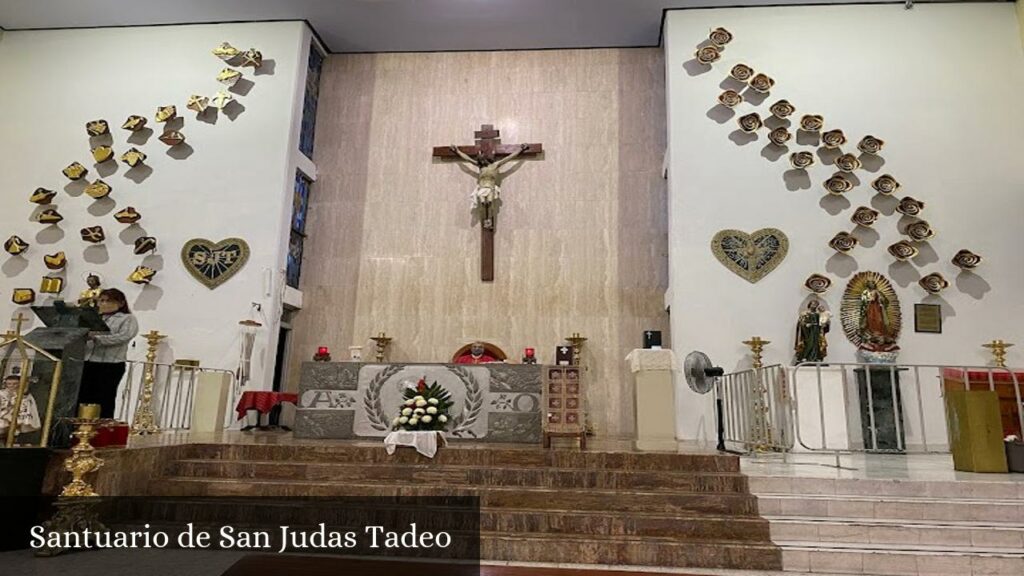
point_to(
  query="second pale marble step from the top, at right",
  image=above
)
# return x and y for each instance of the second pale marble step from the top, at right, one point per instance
(892, 508)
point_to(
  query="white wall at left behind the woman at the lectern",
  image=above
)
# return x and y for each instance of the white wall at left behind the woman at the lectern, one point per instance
(237, 182)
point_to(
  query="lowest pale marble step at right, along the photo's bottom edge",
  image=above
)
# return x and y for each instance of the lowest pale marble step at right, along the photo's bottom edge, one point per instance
(879, 560)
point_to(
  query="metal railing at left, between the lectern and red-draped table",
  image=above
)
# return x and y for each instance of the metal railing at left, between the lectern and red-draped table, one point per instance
(175, 393)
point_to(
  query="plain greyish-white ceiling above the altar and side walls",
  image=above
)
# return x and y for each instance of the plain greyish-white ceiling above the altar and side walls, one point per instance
(394, 26)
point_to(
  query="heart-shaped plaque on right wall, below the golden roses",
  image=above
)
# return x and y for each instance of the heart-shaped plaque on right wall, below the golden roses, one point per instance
(751, 256)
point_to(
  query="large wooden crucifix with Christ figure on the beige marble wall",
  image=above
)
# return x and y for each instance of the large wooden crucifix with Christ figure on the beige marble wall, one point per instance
(488, 156)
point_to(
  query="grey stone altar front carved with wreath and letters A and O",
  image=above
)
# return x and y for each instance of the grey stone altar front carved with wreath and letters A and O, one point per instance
(348, 400)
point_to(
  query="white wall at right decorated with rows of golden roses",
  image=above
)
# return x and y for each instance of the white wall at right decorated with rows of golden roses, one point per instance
(942, 85)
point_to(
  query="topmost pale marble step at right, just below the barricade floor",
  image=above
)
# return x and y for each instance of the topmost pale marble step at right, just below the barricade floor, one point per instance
(859, 487)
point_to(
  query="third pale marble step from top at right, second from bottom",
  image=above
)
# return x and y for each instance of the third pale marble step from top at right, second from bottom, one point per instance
(893, 532)
